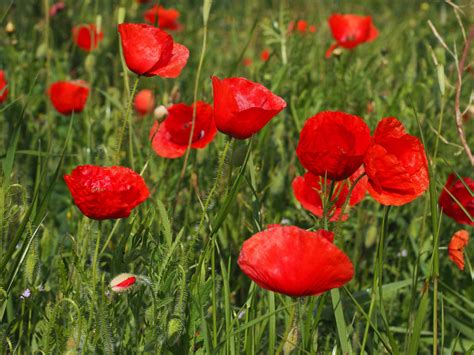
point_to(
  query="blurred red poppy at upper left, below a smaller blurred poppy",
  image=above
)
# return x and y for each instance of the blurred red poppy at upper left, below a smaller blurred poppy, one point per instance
(69, 96)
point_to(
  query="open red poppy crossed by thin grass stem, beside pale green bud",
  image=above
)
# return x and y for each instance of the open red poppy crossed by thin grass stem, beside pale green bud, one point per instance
(171, 137)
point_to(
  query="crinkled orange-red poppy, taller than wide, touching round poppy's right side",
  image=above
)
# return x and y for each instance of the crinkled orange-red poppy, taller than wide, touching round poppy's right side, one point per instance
(396, 165)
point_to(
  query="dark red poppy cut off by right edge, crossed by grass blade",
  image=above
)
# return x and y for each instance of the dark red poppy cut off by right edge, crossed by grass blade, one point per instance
(449, 205)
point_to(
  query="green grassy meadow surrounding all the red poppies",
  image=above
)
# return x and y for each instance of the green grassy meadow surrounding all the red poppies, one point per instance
(183, 242)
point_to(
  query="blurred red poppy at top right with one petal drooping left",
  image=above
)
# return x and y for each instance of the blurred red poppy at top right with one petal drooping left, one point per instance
(351, 30)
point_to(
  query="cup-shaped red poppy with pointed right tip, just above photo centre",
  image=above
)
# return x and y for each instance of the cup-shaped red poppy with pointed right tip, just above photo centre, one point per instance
(242, 107)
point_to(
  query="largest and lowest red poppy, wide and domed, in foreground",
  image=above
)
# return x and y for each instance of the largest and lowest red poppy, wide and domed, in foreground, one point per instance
(295, 262)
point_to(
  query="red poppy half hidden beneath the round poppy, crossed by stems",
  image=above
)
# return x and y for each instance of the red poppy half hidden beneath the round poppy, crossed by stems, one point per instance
(308, 190)
